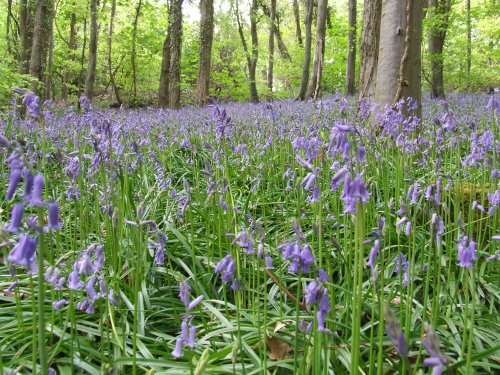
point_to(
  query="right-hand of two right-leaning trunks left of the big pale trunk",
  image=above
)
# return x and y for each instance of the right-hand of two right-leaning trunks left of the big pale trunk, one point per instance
(313, 90)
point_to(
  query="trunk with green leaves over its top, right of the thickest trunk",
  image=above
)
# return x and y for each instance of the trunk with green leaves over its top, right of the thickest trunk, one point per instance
(439, 12)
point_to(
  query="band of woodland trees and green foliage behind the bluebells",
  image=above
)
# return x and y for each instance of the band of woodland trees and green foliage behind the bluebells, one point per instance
(66, 45)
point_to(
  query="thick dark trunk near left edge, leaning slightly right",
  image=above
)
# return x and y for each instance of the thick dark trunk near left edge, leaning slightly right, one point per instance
(39, 43)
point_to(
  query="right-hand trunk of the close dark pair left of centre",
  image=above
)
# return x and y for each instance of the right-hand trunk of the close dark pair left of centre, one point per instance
(174, 77)
